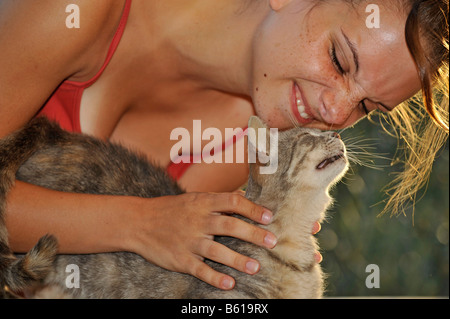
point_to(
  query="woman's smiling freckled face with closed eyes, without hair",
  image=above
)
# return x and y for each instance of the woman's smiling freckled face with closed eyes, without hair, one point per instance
(316, 66)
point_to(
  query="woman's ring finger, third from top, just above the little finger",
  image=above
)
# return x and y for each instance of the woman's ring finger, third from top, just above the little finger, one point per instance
(224, 255)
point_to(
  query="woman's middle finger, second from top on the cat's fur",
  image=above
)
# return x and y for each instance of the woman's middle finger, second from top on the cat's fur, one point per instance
(233, 227)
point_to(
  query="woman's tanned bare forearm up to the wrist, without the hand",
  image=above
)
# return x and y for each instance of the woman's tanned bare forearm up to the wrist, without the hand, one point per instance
(83, 223)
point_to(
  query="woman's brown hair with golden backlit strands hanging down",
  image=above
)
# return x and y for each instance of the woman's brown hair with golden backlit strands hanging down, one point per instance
(422, 122)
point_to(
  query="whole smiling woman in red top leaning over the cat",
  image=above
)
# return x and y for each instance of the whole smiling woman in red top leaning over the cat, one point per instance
(135, 70)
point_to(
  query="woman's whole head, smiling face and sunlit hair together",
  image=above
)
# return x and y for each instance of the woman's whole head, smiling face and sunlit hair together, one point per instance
(342, 70)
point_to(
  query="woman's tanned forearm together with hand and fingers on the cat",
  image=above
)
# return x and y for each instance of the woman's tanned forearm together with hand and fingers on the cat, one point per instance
(174, 232)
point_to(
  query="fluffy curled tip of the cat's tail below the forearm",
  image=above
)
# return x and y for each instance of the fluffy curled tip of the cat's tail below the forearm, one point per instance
(20, 273)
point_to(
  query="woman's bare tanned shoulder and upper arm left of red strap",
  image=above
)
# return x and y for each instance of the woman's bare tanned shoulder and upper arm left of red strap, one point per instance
(40, 47)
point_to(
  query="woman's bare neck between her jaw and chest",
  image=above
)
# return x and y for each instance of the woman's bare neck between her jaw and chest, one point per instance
(210, 41)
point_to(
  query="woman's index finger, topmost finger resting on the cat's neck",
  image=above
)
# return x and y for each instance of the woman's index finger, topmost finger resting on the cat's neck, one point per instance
(238, 204)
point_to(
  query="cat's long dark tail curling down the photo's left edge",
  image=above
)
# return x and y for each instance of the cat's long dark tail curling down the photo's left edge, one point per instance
(16, 149)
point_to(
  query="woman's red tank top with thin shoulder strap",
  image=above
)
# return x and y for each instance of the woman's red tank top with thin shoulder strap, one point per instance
(63, 106)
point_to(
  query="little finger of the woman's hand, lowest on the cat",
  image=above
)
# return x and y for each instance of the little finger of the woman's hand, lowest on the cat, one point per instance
(205, 273)
